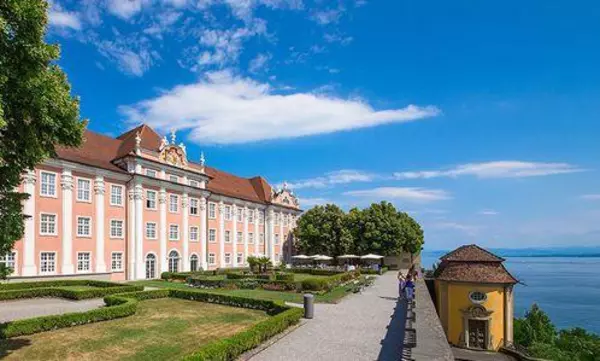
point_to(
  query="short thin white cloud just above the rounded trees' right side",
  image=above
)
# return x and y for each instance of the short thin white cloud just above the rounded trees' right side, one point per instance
(409, 194)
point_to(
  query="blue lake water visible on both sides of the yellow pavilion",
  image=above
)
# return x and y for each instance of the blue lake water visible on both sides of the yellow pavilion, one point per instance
(566, 288)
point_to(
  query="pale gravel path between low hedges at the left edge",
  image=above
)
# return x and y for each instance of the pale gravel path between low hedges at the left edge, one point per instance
(34, 307)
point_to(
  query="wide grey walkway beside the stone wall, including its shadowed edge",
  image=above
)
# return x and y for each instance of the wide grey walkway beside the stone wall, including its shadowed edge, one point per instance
(367, 326)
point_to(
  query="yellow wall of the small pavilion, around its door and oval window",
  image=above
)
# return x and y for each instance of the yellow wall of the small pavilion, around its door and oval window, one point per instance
(458, 299)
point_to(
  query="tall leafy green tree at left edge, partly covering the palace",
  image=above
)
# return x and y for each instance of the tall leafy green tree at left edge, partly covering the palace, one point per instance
(37, 111)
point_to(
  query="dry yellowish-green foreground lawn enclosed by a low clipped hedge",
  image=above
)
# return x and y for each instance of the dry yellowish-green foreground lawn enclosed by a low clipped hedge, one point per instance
(161, 329)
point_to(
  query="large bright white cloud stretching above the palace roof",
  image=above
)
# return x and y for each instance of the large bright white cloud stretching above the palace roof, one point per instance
(223, 109)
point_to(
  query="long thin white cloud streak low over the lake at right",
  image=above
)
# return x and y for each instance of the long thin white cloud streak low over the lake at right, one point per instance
(497, 169)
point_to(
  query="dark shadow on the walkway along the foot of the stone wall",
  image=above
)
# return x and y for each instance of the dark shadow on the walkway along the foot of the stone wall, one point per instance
(392, 346)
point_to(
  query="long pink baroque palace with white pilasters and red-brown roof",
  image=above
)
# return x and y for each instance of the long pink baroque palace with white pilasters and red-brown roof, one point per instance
(135, 206)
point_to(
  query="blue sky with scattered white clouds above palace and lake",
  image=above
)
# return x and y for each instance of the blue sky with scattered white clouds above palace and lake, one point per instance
(480, 119)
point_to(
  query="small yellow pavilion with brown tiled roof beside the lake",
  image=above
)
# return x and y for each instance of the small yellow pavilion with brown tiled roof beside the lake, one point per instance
(474, 294)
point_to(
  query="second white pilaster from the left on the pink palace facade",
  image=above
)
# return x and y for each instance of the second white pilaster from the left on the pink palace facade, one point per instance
(66, 184)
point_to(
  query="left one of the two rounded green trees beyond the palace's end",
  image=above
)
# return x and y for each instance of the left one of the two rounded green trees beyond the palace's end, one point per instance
(322, 230)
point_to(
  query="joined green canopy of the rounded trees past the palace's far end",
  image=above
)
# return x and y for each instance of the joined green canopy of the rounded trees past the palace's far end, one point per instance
(379, 229)
